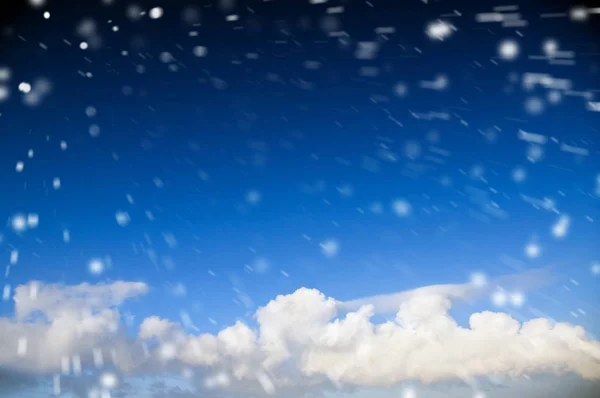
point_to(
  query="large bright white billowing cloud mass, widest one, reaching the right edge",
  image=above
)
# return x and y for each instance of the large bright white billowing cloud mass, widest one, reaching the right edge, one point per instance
(301, 338)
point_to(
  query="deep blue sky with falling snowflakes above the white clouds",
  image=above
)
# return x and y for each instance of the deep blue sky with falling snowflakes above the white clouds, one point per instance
(287, 157)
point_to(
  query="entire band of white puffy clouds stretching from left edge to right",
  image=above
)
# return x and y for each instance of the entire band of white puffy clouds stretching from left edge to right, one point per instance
(300, 341)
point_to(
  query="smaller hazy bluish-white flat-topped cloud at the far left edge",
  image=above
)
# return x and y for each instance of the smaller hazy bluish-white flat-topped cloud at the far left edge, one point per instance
(56, 327)
